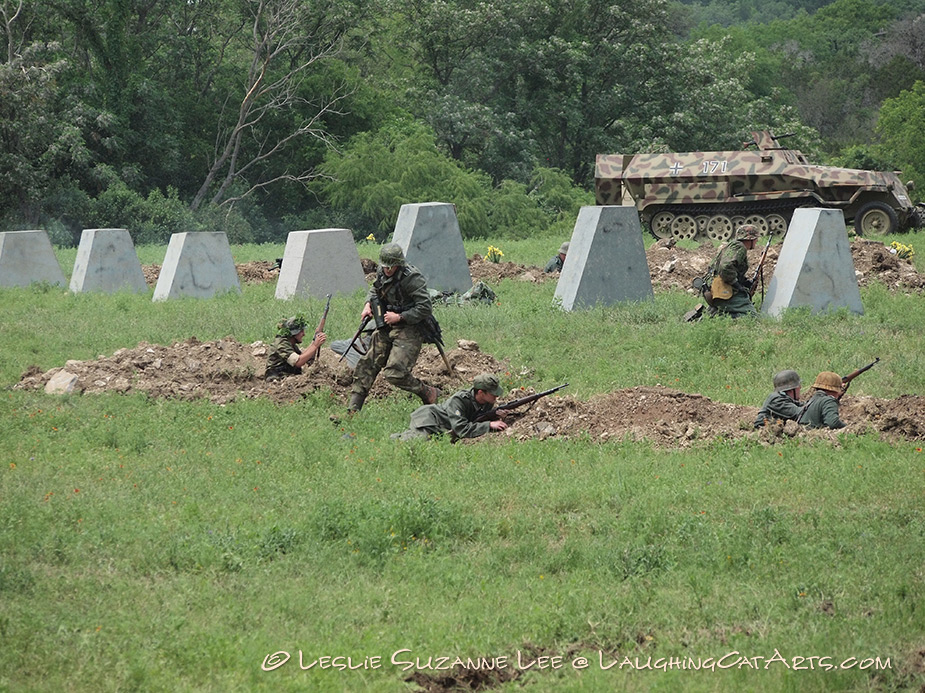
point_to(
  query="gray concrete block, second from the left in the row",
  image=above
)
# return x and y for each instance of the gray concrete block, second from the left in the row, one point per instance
(107, 261)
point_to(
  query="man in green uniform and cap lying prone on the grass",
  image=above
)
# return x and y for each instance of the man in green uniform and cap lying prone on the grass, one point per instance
(458, 414)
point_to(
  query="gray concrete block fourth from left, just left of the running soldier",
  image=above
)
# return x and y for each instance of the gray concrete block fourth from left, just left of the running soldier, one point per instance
(320, 262)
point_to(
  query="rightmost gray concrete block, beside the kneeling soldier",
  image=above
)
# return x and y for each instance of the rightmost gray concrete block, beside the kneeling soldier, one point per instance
(814, 267)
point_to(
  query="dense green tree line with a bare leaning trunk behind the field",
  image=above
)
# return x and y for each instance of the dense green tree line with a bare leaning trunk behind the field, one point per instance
(260, 117)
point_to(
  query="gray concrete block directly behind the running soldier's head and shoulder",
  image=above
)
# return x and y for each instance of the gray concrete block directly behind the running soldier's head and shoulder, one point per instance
(428, 233)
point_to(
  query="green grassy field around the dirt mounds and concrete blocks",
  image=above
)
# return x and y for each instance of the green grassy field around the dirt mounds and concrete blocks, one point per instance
(165, 546)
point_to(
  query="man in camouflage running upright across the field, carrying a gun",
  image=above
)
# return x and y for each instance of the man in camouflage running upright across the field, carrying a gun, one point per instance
(402, 293)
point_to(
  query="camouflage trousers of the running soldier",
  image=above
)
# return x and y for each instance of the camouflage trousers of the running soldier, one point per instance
(393, 351)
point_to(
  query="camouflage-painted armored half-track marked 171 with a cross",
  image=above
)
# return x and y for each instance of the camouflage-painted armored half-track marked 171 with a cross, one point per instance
(710, 194)
